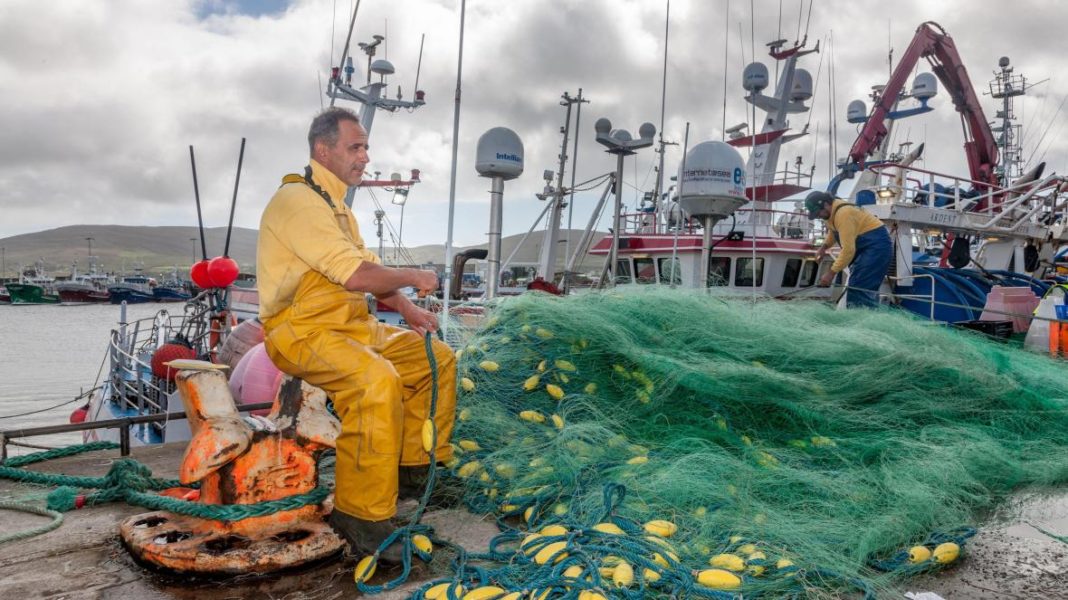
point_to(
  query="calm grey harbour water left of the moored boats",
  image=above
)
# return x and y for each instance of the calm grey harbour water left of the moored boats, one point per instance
(50, 355)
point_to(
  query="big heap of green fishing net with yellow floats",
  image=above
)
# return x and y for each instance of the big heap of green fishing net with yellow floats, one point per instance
(666, 444)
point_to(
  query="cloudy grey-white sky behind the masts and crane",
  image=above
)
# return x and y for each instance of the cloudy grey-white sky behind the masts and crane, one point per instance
(100, 100)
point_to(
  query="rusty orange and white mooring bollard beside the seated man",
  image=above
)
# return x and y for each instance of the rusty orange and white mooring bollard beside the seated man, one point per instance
(239, 464)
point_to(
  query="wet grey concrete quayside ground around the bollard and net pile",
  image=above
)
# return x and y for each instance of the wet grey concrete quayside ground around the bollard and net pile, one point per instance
(84, 559)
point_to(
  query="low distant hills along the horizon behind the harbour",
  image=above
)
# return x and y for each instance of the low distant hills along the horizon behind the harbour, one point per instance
(160, 249)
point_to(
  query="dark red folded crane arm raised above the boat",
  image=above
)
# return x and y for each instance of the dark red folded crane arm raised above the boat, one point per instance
(939, 50)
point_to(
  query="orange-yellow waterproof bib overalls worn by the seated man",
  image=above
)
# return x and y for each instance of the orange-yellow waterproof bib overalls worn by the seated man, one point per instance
(380, 380)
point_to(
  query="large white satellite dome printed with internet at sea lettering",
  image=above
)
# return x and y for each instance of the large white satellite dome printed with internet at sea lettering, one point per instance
(713, 183)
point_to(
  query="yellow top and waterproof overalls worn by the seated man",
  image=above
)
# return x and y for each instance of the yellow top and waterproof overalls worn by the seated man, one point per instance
(378, 375)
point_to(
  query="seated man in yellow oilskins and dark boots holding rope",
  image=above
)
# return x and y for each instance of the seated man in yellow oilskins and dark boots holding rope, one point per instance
(313, 271)
